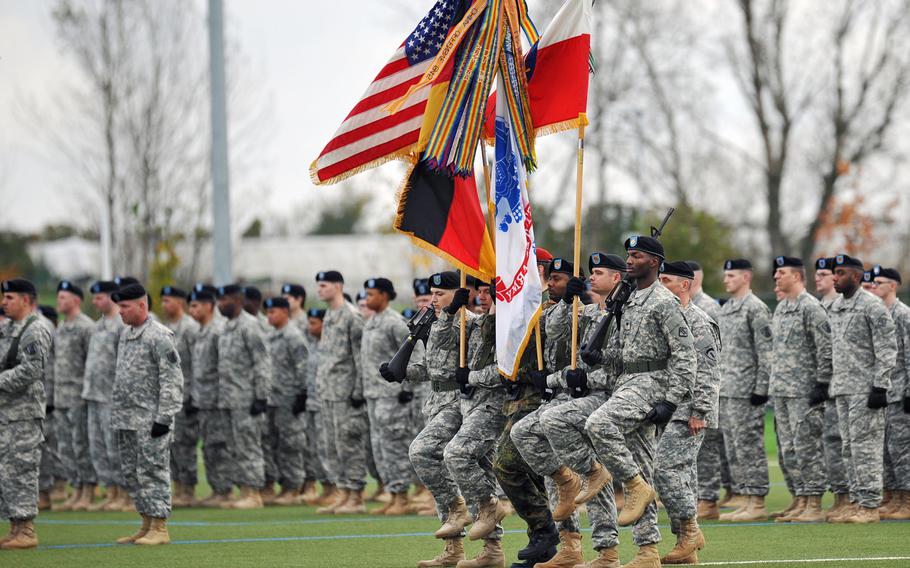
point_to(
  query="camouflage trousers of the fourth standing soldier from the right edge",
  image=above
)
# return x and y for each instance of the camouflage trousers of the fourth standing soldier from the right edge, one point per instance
(800, 429)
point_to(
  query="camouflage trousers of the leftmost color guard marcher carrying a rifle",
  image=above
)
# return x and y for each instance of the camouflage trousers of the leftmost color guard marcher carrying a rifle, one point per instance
(426, 454)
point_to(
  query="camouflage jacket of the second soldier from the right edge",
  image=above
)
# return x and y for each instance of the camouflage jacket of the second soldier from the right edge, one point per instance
(864, 344)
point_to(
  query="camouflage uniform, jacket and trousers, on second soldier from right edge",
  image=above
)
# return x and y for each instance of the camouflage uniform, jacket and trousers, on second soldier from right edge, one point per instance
(864, 344)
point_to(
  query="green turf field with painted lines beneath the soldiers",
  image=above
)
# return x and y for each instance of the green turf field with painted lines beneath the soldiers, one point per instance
(296, 536)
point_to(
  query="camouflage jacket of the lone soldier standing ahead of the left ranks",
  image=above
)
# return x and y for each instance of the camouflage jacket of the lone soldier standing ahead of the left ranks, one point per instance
(148, 386)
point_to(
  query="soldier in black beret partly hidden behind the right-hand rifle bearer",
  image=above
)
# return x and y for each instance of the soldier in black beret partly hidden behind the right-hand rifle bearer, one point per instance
(675, 469)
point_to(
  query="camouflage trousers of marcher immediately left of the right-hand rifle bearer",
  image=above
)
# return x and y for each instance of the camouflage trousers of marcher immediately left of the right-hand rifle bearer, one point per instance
(564, 426)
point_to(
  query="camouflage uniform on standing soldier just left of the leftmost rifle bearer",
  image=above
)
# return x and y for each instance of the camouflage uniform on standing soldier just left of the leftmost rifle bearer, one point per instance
(390, 420)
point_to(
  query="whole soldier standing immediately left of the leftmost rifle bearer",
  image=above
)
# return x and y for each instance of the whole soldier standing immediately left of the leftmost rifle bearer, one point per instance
(388, 404)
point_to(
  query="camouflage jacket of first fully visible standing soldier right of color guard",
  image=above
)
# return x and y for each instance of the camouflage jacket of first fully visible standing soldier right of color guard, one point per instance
(745, 362)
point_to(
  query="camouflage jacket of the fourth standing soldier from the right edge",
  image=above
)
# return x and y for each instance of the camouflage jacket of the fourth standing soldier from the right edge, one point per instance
(802, 347)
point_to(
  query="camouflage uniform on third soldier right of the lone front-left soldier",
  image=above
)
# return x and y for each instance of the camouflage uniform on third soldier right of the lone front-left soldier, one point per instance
(244, 373)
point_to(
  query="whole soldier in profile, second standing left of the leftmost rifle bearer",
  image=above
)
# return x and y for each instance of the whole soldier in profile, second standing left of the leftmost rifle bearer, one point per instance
(339, 385)
